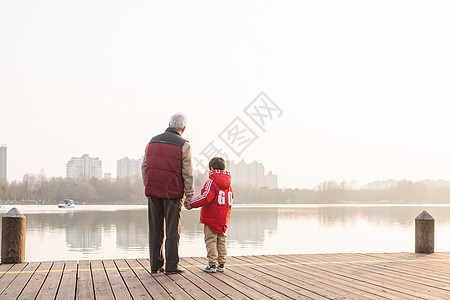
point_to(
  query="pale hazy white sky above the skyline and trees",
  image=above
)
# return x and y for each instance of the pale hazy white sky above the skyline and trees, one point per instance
(363, 85)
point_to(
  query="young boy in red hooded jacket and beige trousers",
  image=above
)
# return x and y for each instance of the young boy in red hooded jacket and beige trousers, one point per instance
(216, 200)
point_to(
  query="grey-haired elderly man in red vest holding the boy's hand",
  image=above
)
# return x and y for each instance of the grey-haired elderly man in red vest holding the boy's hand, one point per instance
(168, 176)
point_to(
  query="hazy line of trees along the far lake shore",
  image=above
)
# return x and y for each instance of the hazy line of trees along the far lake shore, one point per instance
(131, 191)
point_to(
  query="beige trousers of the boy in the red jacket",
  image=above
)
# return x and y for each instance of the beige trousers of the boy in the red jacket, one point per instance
(216, 246)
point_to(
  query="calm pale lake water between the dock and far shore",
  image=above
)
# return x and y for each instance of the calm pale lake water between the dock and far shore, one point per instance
(101, 232)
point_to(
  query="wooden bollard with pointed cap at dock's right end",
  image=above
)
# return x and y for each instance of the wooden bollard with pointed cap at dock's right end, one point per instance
(424, 233)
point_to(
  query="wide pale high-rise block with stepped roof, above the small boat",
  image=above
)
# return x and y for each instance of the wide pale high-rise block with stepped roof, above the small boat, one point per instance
(84, 168)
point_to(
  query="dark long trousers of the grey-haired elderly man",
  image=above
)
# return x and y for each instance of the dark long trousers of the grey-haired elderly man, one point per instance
(158, 211)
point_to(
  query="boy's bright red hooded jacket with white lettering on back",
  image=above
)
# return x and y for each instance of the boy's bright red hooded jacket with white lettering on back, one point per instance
(216, 200)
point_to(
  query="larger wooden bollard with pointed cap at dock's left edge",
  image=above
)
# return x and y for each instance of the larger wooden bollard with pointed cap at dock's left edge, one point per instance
(13, 237)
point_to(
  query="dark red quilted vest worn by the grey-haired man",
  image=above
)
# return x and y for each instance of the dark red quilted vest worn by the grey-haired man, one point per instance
(164, 161)
